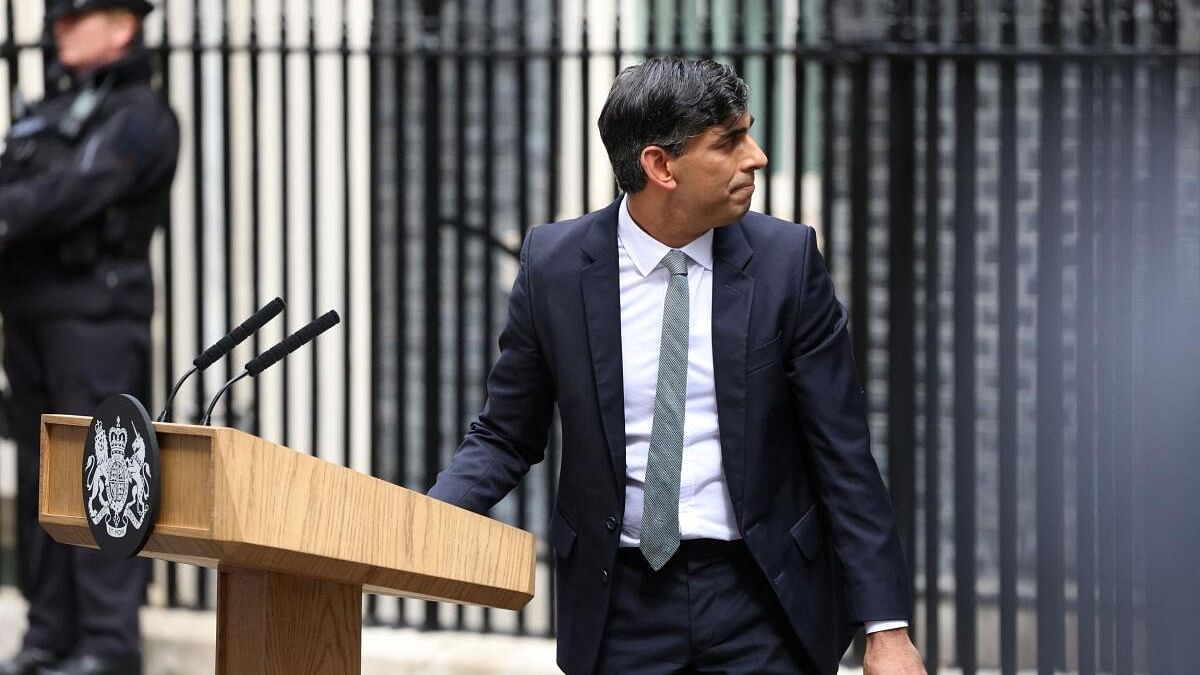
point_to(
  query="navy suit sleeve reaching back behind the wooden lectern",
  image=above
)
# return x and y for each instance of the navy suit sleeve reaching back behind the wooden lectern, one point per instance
(511, 434)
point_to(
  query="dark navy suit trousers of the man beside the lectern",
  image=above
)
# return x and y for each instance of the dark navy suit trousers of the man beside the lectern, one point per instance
(709, 611)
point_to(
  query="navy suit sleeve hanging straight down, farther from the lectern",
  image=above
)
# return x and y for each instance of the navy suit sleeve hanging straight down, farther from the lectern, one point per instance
(833, 416)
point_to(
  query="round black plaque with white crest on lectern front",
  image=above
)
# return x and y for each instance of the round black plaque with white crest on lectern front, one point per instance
(122, 475)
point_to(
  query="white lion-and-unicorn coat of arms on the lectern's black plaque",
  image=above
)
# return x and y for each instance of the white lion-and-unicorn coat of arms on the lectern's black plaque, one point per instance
(118, 479)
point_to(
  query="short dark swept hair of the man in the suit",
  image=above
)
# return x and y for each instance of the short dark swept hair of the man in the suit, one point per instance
(667, 101)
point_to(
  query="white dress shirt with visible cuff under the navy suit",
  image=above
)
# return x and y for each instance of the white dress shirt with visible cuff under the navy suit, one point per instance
(705, 507)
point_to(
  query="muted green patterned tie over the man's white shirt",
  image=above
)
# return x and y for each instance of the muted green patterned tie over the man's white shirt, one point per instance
(661, 509)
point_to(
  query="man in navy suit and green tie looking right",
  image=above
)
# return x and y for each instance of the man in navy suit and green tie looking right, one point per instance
(718, 505)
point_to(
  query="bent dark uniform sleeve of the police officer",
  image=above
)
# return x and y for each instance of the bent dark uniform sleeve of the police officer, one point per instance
(111, 165)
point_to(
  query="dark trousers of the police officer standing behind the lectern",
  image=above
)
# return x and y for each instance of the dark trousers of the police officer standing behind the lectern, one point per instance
(80, 601)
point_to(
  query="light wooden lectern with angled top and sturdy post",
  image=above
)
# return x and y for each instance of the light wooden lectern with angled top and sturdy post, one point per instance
(297, 541)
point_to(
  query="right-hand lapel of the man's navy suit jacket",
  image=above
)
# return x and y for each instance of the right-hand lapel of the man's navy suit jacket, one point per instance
(733, 300)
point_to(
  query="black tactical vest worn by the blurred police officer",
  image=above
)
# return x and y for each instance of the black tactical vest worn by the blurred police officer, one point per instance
(99, 270)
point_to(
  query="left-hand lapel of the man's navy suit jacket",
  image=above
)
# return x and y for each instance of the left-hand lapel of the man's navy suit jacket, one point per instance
(602, 303)
